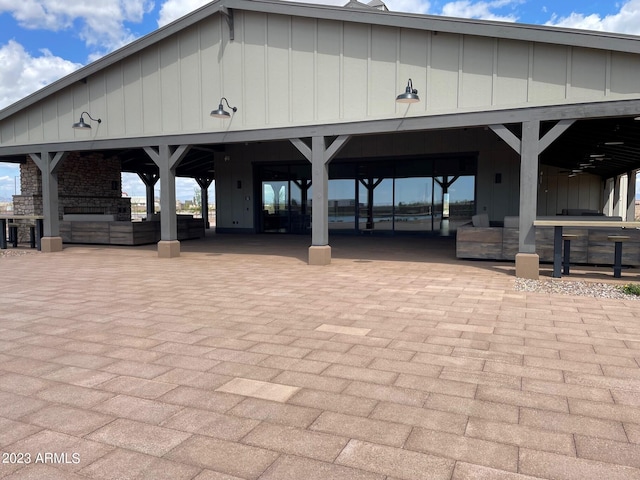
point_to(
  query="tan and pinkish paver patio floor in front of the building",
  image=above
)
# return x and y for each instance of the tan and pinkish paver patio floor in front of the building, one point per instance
(237, 360)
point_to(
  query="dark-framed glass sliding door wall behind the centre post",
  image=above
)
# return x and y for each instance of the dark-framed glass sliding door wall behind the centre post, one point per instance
(404, 195)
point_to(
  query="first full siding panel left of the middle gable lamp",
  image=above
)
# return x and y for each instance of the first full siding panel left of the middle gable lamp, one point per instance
(191, 104)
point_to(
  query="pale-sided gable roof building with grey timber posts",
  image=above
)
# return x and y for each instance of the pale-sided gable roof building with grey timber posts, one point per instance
(315, 89)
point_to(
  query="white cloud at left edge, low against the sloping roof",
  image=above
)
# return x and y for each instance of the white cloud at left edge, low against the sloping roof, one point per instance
(22, 74)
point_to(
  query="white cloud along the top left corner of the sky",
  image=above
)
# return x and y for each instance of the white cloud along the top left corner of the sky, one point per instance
(100, 24)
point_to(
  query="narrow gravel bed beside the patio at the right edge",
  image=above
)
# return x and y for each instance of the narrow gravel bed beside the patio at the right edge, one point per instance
(584, 289)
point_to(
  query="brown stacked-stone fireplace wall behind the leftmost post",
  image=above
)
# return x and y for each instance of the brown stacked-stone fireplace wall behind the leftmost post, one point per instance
(87, 183)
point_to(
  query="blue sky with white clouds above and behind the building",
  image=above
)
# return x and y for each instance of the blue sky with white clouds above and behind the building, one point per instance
(43, 40)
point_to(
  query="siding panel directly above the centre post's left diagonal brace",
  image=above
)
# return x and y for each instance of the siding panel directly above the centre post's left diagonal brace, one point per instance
(303, 35)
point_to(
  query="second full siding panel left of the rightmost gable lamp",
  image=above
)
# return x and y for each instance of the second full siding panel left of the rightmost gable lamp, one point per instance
(356, 73)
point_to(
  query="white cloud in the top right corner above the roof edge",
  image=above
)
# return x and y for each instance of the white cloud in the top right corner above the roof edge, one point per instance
(627, 20)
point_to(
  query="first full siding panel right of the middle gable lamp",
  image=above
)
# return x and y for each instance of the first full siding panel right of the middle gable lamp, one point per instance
(255, 102)
